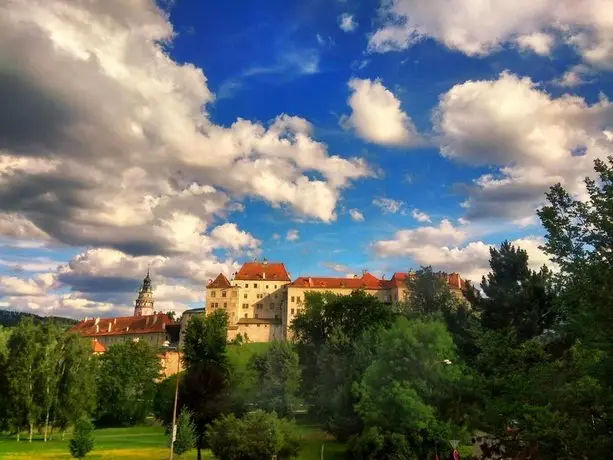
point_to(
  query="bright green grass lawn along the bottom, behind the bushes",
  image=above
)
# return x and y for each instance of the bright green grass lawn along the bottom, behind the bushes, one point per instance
(143, 443)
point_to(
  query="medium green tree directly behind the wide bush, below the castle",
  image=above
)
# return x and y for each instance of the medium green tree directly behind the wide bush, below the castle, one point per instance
(277, 379)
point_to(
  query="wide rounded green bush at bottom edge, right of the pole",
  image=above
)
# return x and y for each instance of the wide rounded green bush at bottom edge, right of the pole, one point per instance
(257, 436)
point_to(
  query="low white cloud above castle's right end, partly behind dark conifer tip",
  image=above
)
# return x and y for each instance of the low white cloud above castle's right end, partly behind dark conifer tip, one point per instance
(446, 248)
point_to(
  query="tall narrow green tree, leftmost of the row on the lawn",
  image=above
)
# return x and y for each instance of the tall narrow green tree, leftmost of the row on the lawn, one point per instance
(21, 373)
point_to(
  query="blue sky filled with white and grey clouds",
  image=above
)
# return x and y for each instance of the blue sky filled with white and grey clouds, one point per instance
(332, 135)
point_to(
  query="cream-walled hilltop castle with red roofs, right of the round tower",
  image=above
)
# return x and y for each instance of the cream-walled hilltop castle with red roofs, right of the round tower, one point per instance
(261, 300)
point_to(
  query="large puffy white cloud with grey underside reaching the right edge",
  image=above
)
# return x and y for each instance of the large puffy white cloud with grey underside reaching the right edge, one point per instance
(536, 140)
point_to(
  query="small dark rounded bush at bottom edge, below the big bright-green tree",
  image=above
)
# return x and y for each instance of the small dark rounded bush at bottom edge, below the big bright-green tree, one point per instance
(374, 444)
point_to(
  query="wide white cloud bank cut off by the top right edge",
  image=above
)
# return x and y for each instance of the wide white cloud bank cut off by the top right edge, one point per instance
(477, 27)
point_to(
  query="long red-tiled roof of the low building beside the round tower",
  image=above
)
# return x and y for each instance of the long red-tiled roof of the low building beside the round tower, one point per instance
(122, 325)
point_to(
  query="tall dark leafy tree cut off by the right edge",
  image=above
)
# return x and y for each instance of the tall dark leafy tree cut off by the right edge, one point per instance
(580, 240)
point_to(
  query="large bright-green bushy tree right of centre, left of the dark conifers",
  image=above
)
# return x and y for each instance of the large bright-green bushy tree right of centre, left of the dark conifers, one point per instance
(410, 387)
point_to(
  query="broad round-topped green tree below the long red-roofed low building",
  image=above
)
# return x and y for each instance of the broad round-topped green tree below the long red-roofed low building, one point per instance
(126, 378)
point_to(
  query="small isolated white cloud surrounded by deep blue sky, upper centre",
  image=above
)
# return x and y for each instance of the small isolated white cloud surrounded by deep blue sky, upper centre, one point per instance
(377, 116)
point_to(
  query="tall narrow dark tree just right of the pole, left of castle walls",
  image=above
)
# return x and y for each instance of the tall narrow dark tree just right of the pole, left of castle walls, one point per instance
(206, 389)
